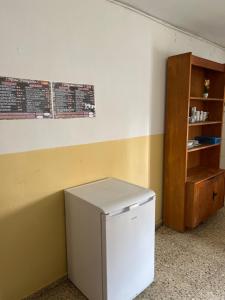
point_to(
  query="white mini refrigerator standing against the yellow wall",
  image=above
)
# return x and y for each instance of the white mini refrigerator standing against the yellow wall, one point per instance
(110, 226)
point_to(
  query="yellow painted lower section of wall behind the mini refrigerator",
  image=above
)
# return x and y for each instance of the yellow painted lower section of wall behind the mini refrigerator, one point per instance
(32, 230)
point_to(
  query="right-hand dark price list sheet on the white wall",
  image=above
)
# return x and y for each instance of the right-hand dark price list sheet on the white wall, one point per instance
(73, 100)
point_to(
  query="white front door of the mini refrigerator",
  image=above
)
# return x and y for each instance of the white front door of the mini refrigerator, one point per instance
(128, 256)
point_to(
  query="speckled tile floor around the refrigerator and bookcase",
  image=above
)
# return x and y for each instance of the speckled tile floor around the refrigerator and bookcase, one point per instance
(188, 266)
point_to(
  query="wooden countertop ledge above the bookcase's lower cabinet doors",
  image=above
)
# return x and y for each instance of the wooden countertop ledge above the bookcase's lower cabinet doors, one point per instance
(200, 173)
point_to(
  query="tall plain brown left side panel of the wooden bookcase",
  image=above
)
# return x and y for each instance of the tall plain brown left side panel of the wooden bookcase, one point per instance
(176, 131)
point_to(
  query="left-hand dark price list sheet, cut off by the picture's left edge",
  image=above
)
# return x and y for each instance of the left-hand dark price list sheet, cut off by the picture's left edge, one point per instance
(24, 99)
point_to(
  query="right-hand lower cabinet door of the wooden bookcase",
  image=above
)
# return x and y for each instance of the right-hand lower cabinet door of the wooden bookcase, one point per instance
(218, 192)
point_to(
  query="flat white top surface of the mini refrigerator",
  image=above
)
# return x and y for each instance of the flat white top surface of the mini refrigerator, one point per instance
(110, 195)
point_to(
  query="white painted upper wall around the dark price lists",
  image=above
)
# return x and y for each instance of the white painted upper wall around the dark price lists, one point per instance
(96, 42)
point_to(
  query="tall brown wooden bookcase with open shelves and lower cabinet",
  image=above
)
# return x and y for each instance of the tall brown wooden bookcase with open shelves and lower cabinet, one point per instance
(194, 184)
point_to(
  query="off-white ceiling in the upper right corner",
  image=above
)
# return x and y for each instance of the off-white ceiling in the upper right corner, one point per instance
(205, 18)
